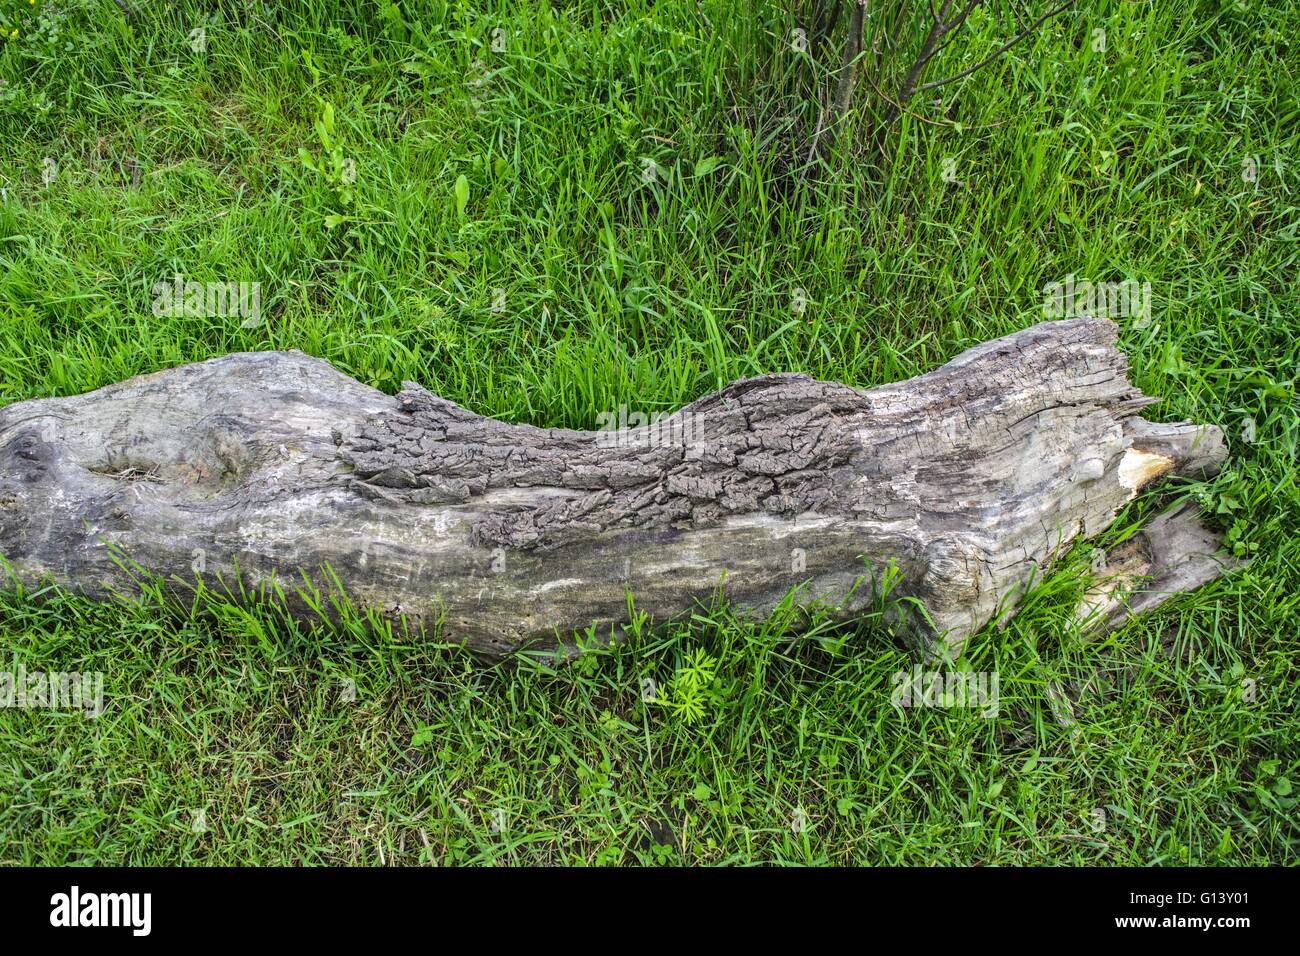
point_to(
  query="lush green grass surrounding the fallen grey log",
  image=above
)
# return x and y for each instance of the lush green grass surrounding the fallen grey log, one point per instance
(556, 284)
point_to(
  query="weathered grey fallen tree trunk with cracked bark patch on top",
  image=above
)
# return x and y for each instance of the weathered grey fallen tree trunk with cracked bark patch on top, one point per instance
(266, 465)
